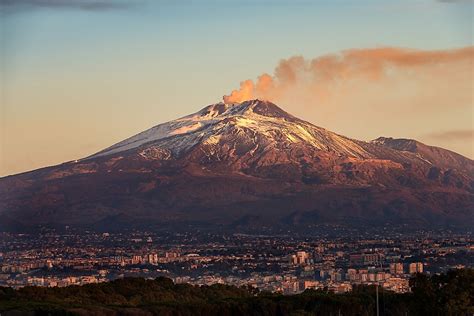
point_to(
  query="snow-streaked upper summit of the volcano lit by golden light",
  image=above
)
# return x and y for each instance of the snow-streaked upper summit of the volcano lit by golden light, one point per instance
(255, 118)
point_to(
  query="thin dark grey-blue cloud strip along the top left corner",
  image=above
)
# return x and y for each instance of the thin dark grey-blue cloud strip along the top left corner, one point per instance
(89, 5)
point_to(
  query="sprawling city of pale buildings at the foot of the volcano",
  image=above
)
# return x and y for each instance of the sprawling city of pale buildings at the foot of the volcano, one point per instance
(285, 263)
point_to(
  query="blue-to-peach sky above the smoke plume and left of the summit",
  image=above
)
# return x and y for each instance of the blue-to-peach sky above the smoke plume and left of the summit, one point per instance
(78, 76)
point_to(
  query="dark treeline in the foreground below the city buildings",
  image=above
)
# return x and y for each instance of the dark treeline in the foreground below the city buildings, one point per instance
(447, 294)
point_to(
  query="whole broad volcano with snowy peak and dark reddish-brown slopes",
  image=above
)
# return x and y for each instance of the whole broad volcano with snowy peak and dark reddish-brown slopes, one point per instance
(245, 166)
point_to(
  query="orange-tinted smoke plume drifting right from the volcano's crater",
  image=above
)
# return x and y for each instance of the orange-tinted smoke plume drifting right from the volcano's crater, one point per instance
(317, 77)
